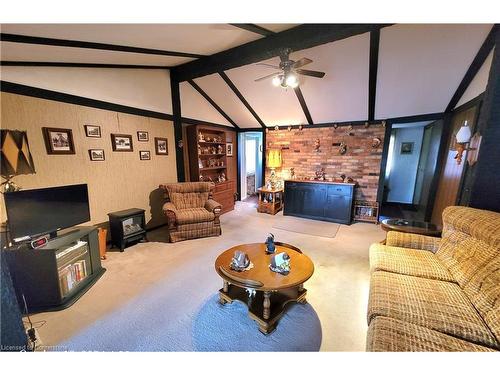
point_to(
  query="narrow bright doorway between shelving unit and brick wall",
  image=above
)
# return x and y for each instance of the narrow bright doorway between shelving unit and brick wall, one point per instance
(250, 163)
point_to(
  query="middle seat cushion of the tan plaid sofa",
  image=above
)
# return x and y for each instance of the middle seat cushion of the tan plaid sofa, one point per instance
(434, 304)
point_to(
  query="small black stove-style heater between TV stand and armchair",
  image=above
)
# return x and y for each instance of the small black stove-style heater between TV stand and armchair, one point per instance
(127, 226)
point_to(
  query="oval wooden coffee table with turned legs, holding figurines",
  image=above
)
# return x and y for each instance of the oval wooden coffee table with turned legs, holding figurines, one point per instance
(265, 292)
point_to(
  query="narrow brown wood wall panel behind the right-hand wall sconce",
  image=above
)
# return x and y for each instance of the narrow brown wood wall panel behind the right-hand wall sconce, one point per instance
(451, 175)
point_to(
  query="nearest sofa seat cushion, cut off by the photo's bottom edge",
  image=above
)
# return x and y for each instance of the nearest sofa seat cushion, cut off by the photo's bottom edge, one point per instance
(392, 335)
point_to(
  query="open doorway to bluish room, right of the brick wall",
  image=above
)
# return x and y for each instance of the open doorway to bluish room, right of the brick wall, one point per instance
(409, 176)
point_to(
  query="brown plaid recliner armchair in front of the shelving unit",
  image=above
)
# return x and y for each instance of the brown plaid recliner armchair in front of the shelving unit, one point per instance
(191, 212)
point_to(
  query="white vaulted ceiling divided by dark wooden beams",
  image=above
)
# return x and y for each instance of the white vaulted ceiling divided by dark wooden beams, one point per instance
(419, 67)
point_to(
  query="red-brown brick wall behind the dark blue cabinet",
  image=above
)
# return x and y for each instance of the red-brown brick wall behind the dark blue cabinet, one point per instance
(361, 161)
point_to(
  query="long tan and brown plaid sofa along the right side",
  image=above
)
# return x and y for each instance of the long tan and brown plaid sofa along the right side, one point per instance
(438, 294)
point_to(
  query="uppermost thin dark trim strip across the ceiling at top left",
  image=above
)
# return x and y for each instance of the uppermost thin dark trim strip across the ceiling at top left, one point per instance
(15, 38)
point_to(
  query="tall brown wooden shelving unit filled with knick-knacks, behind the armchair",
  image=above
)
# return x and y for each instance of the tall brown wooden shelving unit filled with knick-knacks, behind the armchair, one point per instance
(208, 162)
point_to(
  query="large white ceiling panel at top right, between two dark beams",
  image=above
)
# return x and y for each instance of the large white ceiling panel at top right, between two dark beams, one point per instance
(420, 66)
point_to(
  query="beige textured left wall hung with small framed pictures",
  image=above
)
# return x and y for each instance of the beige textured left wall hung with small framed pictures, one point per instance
(121, 181)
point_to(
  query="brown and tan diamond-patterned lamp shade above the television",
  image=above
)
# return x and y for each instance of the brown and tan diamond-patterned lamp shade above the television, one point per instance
(15, 153)
